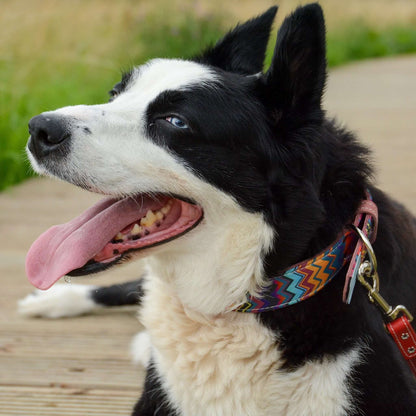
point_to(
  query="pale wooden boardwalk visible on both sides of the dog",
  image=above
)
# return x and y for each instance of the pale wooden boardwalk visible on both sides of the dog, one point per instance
(81, 366)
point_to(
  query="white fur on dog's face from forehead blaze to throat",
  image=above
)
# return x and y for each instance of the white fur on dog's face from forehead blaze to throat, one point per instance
(213, 266)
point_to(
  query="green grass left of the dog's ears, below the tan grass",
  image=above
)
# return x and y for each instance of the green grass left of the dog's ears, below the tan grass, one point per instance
(28, 88)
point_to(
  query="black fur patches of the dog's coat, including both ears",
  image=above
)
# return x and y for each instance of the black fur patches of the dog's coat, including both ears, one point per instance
(265, 140)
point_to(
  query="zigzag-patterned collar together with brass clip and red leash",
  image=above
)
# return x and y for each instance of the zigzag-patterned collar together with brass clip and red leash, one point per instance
(306, 278)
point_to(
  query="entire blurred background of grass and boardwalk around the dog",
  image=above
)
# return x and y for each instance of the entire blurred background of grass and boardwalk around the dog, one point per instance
(55, 53)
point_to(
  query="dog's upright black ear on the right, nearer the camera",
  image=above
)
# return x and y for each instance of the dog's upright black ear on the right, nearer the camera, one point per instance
(295, 80)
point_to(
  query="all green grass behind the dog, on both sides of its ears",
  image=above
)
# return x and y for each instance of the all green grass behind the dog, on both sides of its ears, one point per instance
(53, 79)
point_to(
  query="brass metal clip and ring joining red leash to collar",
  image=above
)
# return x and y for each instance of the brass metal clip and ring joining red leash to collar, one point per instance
(368, 277)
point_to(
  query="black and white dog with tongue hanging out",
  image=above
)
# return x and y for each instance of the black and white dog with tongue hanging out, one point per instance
(223, 176)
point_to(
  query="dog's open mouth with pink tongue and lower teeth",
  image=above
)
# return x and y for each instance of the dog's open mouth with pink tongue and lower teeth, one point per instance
(106, 234)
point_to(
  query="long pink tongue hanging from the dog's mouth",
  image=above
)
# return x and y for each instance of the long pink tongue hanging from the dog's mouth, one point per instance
(66, 247)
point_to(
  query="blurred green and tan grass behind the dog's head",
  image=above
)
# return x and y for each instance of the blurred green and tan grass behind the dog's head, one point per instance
(57, 52)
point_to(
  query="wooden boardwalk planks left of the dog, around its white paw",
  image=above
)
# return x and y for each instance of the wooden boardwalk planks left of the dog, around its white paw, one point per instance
(73, 366)
